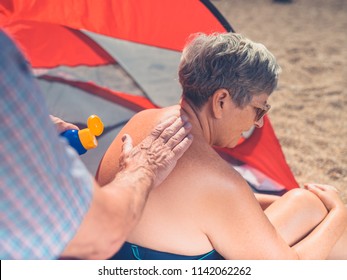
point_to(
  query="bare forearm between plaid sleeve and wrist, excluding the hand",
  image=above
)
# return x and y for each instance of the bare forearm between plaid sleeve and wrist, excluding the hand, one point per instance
(114, 211)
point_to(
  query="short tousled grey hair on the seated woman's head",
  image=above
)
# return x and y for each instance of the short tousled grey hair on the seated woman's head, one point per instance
(229, 61)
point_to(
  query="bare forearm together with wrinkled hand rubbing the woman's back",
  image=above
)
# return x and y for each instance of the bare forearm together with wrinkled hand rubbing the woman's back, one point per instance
(117, 207)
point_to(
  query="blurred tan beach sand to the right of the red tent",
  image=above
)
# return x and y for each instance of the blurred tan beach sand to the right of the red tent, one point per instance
(309, 39)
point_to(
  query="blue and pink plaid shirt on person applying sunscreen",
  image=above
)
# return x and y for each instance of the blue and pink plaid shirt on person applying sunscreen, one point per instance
(45, 190)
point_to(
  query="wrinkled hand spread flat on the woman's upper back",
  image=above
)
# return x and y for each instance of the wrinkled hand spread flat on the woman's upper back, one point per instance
(157, 153)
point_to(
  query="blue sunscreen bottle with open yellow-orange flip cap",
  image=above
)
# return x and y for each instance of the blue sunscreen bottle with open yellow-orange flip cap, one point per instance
(85, 139)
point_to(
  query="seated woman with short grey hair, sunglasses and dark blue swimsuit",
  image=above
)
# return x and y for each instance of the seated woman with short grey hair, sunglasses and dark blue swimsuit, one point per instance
(205, 209)
